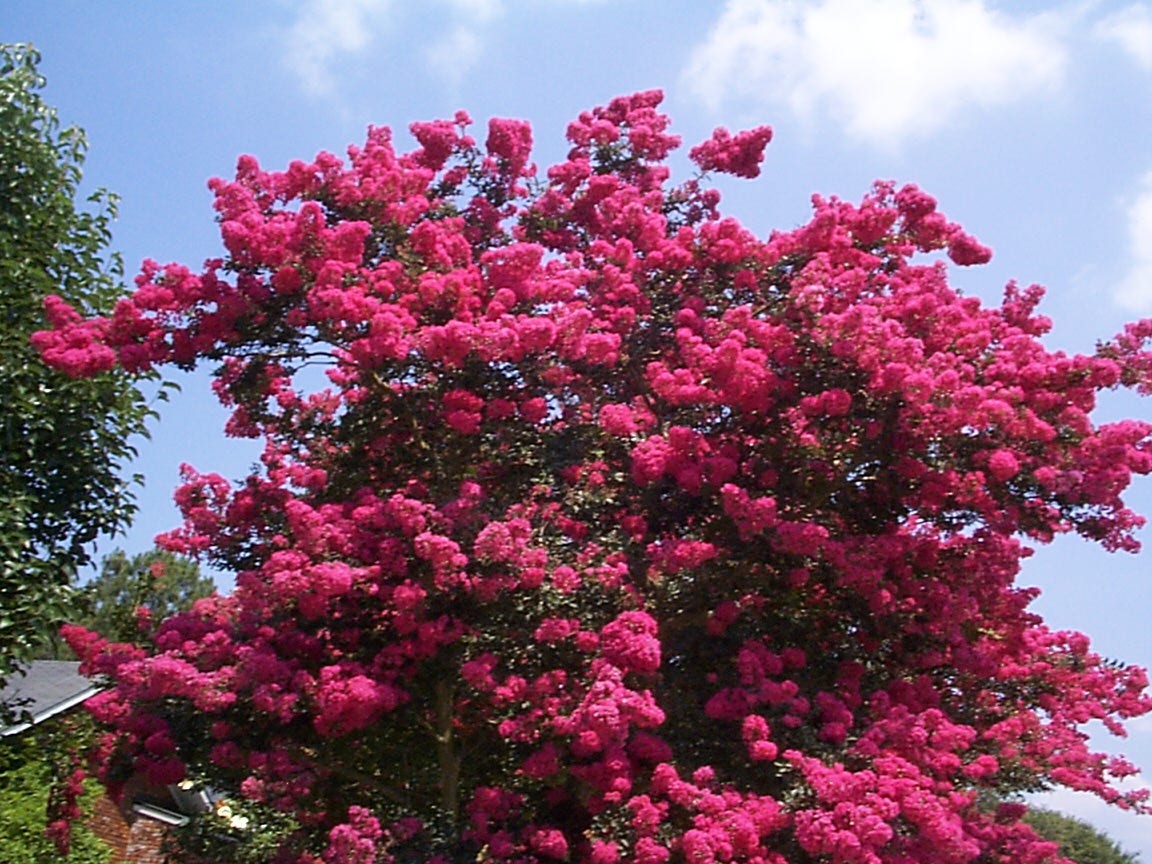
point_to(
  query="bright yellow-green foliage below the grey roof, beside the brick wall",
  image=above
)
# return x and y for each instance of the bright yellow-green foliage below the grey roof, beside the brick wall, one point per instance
(26, 779)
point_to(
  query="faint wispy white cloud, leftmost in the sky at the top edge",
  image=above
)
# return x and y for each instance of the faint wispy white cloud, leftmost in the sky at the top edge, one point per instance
(329, 31)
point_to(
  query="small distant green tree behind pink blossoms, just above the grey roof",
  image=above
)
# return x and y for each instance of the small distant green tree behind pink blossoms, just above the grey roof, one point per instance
(158, 581)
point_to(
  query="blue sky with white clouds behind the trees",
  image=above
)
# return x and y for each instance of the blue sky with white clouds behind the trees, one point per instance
(1030, 122)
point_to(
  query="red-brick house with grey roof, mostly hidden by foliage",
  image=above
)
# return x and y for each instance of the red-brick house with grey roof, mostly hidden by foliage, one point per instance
(135, 828)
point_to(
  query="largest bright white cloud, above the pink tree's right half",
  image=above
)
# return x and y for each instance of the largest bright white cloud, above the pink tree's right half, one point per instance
(889, 71)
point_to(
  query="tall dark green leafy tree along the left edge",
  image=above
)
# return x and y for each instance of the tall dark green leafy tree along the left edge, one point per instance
(64, 442)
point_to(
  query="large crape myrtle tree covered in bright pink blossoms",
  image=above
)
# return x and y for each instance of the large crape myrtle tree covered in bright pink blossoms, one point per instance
(616, 534)
